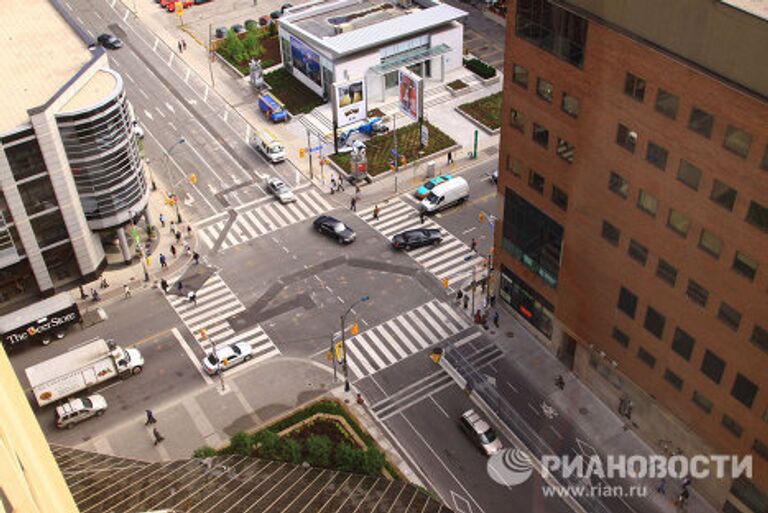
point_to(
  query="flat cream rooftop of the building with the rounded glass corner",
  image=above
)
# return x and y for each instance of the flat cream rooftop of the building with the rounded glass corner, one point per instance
(40, 52)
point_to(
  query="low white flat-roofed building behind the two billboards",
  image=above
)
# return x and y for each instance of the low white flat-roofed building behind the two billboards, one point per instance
(327, 41)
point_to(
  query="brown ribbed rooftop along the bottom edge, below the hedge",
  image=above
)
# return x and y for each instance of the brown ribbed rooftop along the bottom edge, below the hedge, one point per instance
(235, 484)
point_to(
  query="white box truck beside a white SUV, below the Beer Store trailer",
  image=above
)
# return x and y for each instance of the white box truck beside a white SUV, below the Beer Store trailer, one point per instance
(87, 365)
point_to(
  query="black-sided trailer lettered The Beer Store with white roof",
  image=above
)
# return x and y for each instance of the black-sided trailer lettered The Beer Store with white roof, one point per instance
(42, 321)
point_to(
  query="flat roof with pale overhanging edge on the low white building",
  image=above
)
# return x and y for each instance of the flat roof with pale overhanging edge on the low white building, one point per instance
(347, 26)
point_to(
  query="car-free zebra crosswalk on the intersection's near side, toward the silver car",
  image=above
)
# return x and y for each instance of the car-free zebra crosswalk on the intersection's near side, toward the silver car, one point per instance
(383, 345)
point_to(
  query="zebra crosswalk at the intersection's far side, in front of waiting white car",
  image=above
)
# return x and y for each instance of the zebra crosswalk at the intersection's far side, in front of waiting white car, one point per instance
(255, 221)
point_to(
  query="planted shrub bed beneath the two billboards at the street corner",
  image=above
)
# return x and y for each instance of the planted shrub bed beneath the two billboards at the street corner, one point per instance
(378, 149)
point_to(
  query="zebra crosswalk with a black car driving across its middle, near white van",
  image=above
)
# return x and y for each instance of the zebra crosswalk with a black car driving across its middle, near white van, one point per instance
(446, 260)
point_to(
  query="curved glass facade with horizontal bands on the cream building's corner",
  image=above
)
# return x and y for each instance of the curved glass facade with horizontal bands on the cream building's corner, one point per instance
(105, 161)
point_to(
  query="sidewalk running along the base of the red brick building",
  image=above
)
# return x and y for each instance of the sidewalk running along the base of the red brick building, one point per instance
(607, 431)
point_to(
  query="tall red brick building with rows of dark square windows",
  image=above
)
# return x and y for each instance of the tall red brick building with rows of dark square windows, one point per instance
(634, 197)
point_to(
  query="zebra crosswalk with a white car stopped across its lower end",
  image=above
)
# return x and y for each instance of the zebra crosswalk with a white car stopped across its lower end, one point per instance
(207, 319)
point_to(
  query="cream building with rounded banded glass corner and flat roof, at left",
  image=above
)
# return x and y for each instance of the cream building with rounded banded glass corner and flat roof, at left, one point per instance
(70, 171)
